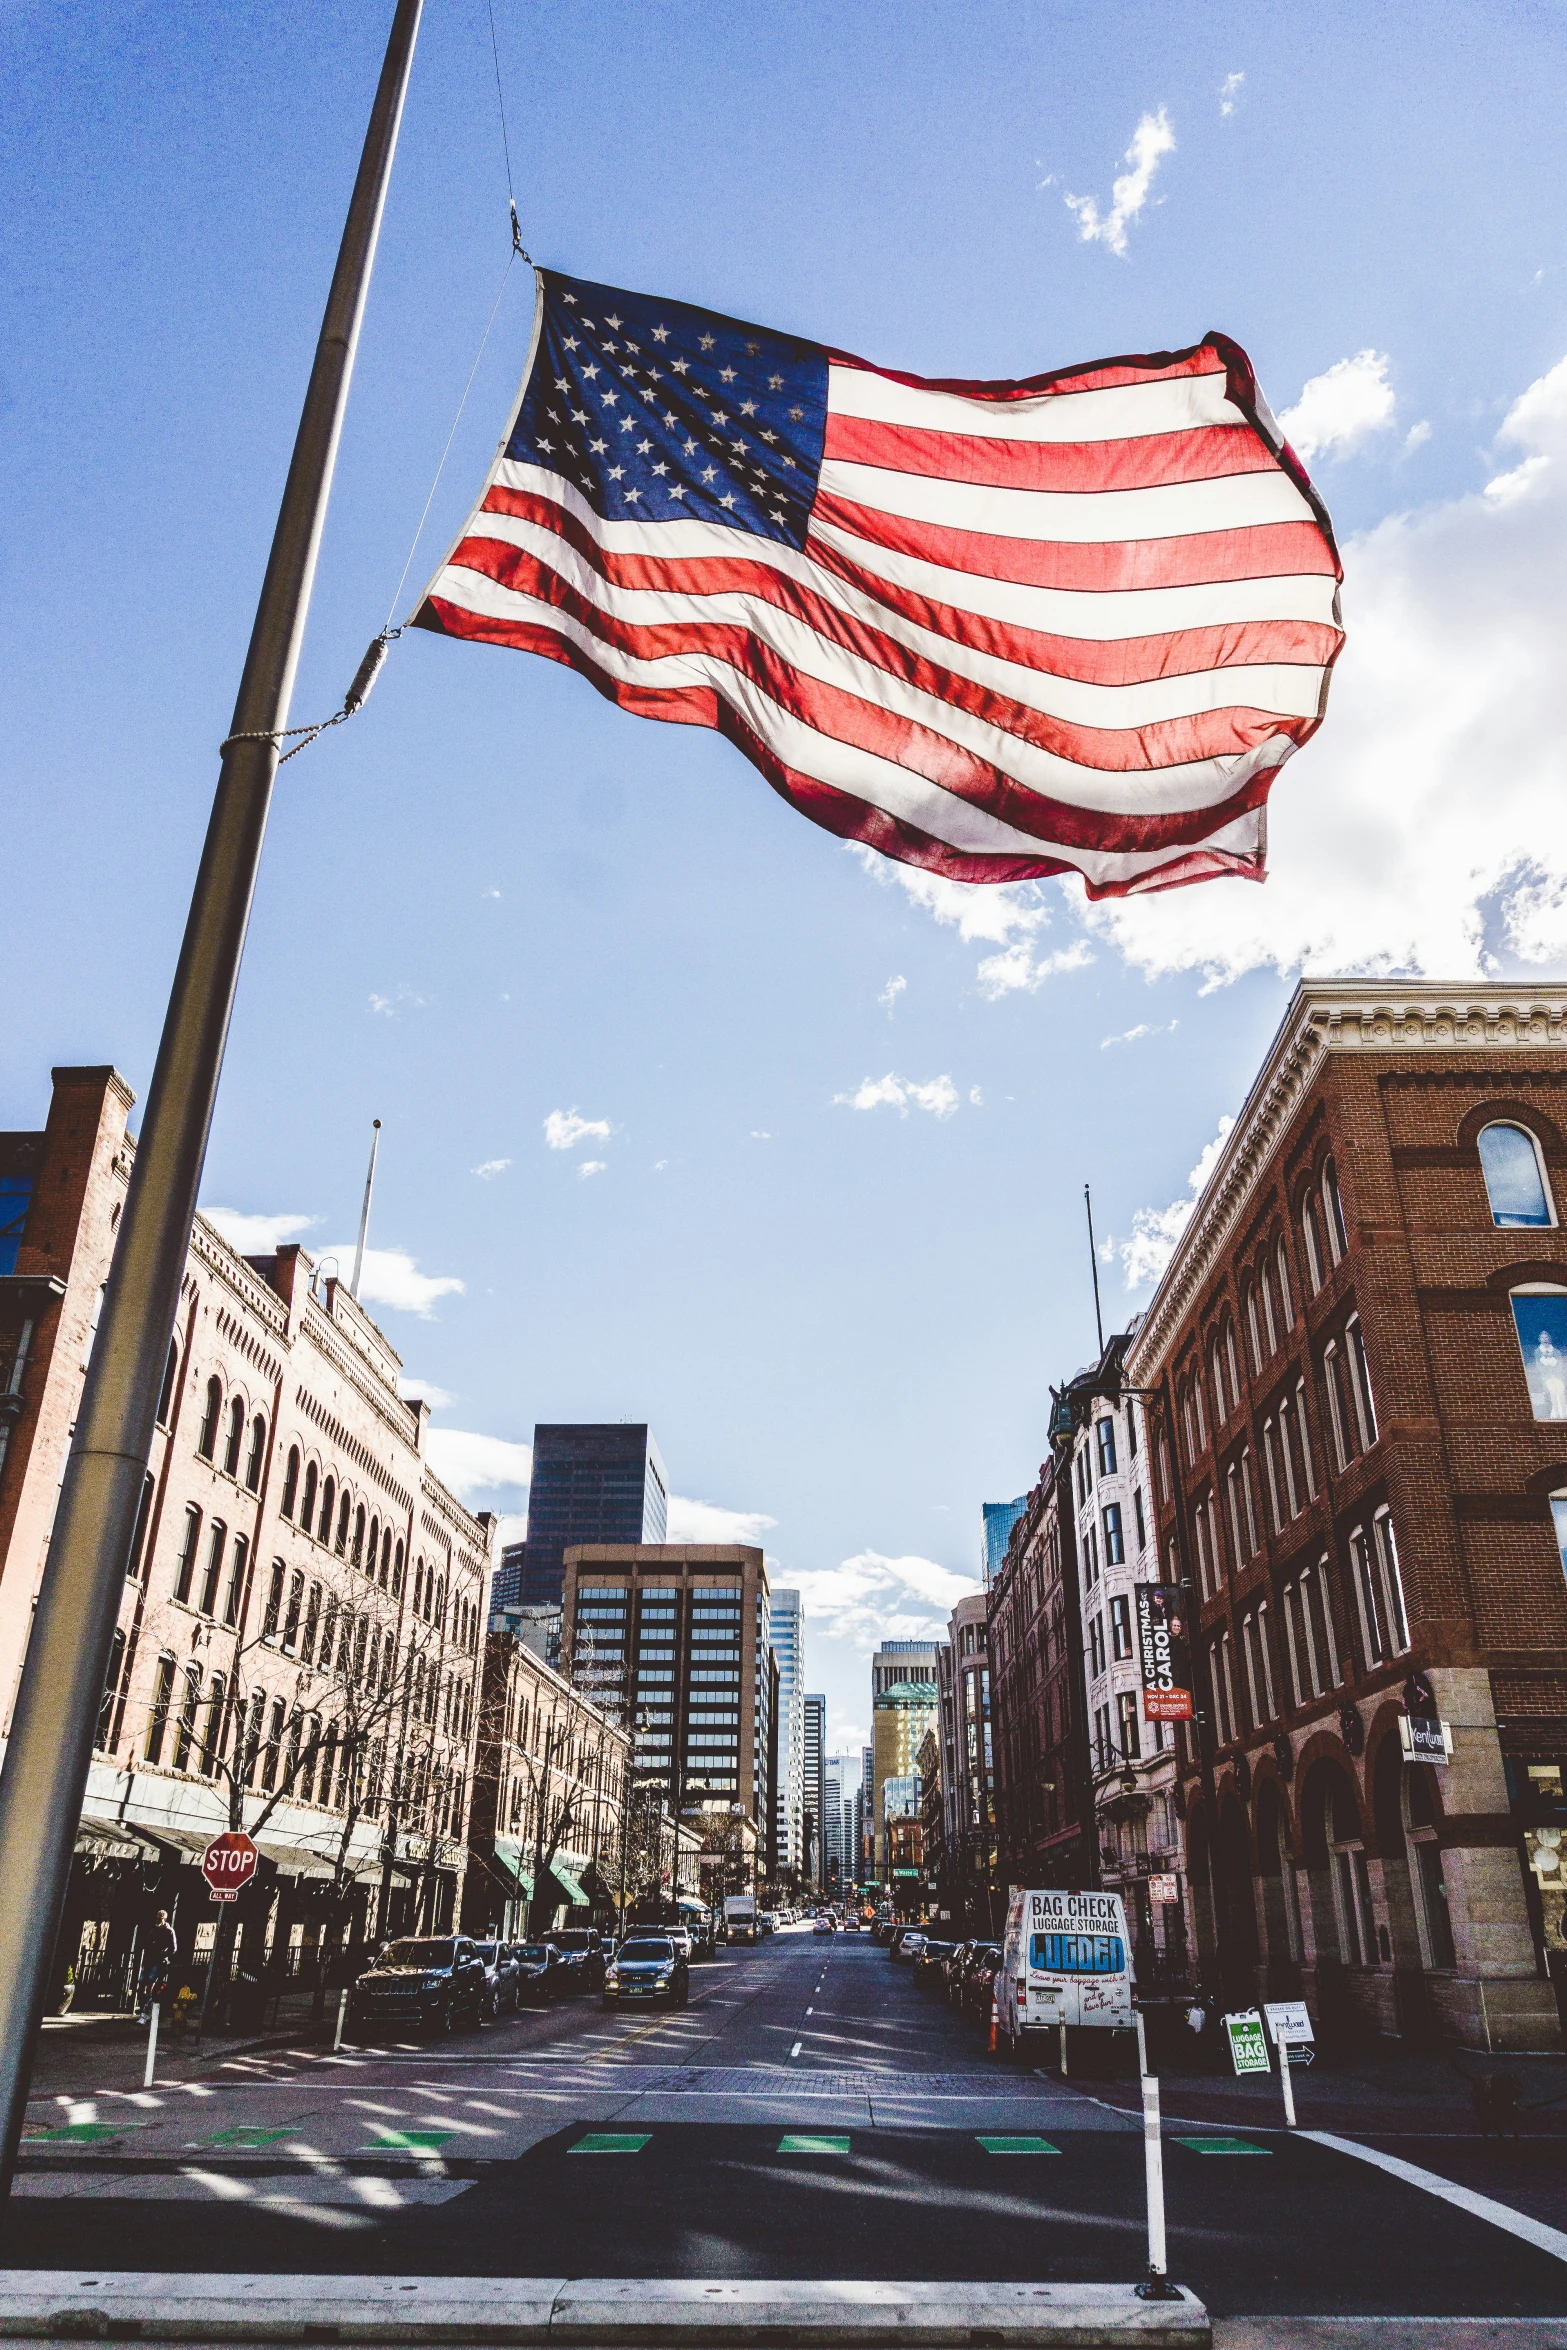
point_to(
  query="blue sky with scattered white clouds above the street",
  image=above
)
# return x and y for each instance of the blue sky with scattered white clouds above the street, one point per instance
(495, 899)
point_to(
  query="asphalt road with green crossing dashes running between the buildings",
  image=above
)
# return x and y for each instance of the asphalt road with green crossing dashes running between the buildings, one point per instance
(807, 2116)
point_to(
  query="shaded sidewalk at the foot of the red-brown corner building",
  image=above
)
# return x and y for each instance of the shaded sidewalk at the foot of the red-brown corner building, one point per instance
(1383, 2093)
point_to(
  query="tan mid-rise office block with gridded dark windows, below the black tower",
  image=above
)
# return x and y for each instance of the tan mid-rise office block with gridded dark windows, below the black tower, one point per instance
(673, 1641)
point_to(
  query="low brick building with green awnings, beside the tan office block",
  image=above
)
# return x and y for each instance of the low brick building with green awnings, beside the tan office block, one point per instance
(549, 1804)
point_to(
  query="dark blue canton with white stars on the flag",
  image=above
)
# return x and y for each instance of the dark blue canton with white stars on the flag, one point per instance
(661, 412)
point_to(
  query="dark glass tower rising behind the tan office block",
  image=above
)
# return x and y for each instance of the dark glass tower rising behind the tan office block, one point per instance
(591, 1484)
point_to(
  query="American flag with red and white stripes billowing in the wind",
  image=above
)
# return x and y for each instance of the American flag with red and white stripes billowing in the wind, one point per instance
(1000, 631)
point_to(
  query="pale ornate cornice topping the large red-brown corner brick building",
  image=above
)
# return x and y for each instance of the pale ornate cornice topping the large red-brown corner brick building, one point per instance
(1331, 1016)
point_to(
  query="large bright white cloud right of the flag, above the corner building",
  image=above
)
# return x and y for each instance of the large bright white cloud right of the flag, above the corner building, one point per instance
(1434, 803)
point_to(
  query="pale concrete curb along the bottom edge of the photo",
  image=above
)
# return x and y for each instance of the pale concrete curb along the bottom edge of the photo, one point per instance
(39, 2304)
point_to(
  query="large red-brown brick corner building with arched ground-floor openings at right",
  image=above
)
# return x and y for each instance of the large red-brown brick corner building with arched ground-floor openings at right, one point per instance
(1361, 1470)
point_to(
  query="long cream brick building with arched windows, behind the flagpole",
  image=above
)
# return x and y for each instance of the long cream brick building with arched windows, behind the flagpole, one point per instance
(304, 1602)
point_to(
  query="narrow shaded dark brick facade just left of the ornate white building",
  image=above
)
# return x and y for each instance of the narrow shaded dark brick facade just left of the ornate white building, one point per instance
(1040, 1724)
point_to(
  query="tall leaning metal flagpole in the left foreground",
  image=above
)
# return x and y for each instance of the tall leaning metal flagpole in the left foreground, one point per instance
(58, 1705)
